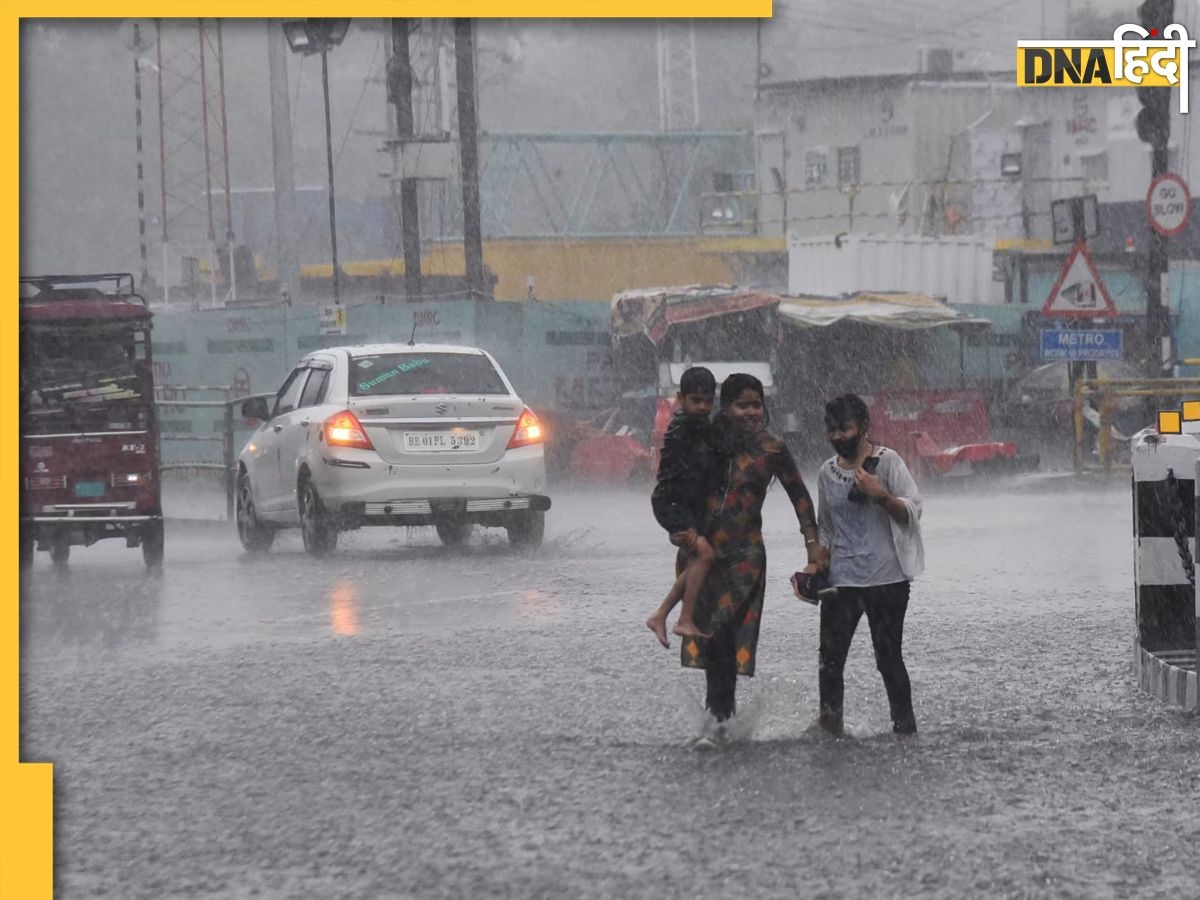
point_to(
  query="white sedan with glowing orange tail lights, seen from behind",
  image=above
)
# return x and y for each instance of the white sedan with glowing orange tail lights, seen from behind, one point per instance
(392, 435)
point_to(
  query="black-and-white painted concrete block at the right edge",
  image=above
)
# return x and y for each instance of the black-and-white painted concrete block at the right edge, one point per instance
(1166, 476)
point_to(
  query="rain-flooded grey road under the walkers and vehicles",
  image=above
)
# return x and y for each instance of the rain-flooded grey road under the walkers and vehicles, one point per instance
(403, 721)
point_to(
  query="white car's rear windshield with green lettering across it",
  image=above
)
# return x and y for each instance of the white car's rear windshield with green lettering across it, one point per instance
(424, 374)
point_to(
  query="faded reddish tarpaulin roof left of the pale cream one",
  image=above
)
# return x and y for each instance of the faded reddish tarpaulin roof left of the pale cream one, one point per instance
(652, 311)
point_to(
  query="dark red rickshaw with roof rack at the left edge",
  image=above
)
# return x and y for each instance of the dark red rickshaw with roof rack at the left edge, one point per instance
(89, 445)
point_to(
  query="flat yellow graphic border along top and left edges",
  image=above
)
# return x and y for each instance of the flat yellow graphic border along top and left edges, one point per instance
(27, 814)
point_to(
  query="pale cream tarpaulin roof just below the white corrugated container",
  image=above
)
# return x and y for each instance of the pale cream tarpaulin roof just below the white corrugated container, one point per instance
(903, 311)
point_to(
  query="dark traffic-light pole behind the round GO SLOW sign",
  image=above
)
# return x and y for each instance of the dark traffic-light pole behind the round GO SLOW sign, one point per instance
(1154, 127)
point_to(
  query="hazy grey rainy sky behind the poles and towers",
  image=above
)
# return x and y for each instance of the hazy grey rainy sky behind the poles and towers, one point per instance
(77, 139)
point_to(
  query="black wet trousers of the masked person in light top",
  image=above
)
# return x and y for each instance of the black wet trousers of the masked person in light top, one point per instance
(885, 608)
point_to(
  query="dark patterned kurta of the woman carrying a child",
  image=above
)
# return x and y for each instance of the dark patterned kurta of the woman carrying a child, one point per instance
(734, 593)
